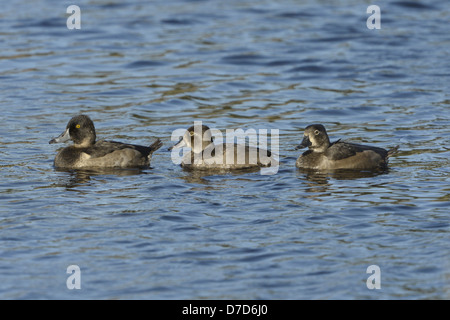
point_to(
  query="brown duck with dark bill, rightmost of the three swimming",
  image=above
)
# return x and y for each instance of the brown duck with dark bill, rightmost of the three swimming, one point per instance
(323, 155)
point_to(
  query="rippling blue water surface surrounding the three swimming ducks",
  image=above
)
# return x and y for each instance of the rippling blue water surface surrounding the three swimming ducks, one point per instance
(141, 69)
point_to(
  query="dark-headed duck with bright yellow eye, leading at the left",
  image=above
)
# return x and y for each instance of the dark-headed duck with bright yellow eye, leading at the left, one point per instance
(86, 152)
